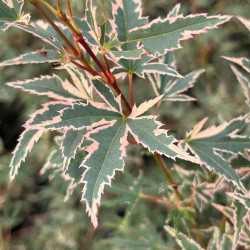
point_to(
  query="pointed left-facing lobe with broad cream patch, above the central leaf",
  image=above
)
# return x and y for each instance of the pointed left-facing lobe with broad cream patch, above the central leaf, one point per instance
(51, 86)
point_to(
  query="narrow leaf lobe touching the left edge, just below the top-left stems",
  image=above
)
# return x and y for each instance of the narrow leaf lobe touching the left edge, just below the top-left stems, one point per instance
(34, 57)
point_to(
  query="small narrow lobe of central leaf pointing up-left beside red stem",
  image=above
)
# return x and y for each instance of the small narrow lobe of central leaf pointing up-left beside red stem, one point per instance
(107, 95)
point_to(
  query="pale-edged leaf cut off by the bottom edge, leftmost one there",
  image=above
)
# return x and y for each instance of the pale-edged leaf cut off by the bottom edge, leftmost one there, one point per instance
(183, 240)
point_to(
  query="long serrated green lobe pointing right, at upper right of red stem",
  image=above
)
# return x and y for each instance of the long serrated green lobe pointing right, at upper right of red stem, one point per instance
(161, 36)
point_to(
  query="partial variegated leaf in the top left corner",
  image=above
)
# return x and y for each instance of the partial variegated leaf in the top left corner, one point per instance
(11, 12)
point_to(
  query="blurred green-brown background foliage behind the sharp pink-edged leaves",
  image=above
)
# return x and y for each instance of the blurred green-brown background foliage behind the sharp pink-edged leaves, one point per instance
(33, 214)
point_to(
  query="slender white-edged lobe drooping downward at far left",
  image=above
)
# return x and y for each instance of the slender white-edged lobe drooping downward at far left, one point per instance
(26, 142)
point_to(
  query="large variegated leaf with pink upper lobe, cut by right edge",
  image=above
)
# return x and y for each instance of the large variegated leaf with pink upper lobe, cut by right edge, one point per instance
(207, 144)
